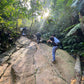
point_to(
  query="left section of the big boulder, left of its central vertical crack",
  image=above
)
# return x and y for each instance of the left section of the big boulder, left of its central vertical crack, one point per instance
(23, 66)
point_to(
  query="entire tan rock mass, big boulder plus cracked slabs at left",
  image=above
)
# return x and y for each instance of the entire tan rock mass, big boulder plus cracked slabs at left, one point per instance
(30, 63)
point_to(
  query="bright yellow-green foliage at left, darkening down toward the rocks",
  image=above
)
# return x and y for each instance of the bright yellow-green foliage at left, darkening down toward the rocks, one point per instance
(12, 12)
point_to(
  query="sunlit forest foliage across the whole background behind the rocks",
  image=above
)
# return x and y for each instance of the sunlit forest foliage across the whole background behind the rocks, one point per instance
(15, 14)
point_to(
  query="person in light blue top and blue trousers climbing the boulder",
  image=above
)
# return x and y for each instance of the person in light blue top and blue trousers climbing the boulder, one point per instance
(55, 42)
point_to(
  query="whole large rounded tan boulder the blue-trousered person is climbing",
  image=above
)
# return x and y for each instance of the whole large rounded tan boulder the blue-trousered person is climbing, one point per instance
(37, 64)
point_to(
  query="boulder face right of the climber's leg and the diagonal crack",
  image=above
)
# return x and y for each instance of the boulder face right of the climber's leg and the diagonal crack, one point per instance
(67, 61)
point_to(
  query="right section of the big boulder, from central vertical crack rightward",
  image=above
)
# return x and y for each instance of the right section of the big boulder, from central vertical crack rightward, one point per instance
(43, 62)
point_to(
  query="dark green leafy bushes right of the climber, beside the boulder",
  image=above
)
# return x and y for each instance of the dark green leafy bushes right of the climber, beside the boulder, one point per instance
(73, 44)
